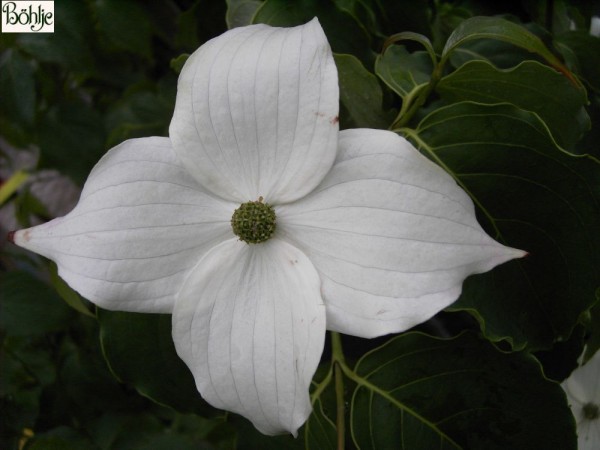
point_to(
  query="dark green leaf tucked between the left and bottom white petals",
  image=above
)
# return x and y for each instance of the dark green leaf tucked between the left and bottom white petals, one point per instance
(140, 351)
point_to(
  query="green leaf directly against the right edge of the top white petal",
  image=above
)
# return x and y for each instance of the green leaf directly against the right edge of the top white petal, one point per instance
(361, 97)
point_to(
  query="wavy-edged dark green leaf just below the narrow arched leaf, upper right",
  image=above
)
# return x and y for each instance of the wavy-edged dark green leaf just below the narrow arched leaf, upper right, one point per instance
(530, 86)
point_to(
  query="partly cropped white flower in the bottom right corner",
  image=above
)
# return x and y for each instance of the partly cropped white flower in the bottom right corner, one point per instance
(583, 392)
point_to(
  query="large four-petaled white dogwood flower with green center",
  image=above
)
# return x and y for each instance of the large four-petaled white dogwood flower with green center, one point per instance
(258, 225)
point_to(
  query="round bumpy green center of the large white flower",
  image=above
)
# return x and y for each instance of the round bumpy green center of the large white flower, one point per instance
(254, 222)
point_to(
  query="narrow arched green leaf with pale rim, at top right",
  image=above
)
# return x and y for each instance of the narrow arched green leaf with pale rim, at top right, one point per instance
(502, 30)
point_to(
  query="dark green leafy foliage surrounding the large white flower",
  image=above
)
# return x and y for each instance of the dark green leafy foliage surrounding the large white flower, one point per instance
(508, 104)
